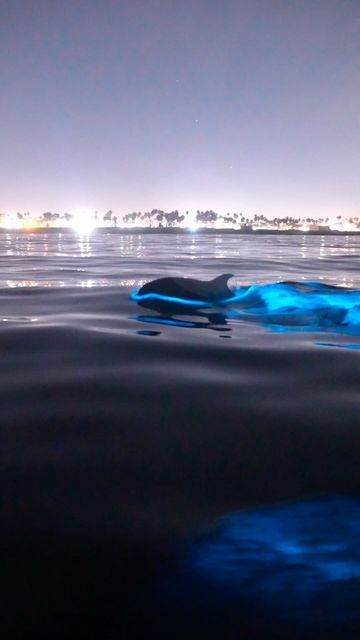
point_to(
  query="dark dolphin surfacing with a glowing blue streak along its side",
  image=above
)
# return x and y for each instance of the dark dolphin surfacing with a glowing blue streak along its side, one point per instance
(188, 289)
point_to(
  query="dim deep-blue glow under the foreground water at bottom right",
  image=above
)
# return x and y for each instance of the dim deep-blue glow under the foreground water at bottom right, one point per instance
(319, 538)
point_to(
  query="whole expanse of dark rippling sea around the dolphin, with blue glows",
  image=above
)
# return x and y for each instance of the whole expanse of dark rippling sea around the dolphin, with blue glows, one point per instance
(179, 472)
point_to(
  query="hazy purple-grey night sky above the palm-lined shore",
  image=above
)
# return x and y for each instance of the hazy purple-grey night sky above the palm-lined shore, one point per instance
(235, 105)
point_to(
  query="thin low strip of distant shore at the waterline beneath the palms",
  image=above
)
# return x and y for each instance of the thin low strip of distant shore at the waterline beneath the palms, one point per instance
(178, 231)
